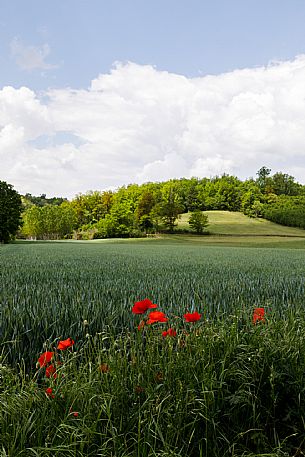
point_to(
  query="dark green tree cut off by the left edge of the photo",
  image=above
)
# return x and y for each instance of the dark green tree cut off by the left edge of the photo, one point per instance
(10, 211)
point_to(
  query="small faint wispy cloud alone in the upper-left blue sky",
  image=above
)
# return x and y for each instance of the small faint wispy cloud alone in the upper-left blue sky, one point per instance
(31, 57)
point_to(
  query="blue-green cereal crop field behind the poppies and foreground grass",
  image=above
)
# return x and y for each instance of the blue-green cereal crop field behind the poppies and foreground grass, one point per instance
(49, 288)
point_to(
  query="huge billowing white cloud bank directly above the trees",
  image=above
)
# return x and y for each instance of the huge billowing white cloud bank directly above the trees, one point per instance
(139, 124)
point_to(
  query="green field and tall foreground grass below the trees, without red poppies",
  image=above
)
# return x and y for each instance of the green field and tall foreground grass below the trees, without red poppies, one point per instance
(221, 387)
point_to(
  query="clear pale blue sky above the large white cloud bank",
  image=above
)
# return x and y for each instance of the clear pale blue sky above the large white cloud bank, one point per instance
(192, 38)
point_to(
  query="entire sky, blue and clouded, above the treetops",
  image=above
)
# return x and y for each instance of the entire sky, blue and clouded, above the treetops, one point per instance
(97, 94)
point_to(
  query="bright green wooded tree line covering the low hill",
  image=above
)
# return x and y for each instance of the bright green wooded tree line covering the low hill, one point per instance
(135, 210)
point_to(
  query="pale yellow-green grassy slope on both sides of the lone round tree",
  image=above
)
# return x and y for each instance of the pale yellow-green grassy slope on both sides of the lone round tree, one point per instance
(235, 223)
